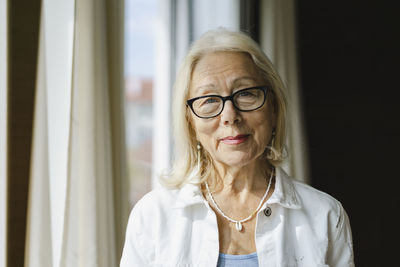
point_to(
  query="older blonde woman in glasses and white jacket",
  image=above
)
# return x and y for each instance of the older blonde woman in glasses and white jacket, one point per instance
(227, 202)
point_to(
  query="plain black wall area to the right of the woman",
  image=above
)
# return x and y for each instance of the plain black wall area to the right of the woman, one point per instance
(350, 81)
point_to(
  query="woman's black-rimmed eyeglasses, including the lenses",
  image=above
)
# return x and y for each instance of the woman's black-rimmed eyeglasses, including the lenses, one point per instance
(210, 106)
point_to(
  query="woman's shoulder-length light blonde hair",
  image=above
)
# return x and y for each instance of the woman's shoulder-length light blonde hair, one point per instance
(185, 168)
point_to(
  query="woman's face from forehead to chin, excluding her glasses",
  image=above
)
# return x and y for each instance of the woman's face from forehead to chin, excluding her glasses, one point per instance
(233, 138)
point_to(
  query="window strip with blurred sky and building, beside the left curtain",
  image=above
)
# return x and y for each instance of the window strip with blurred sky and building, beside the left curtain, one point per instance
(140, 16)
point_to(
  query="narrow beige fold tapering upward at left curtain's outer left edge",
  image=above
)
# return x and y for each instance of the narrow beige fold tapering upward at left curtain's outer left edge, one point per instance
(38, 244)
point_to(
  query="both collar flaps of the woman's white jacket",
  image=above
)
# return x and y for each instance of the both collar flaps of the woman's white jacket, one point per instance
(284, 194)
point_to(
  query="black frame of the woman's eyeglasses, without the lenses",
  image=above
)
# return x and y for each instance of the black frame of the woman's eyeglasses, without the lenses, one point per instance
(263, 88)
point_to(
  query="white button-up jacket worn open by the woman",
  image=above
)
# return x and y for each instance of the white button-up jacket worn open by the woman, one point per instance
(178, 228)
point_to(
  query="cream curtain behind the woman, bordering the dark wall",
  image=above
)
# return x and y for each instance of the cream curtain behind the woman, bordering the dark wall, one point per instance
(278, 40)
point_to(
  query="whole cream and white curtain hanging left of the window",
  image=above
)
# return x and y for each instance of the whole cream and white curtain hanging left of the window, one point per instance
(75, 213)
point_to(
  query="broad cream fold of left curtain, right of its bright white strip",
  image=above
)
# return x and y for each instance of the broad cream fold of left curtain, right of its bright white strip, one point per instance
(89, 226)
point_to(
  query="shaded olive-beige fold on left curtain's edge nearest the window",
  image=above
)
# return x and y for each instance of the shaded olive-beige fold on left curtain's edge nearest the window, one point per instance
(115, 54)
